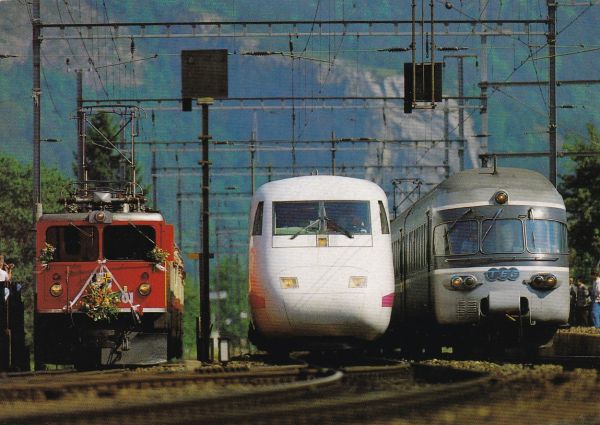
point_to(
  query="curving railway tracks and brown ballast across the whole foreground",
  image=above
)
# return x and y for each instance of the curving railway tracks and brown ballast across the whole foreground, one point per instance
(298, 393)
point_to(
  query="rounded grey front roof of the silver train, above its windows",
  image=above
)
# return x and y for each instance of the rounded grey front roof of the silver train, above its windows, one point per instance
(477, 186)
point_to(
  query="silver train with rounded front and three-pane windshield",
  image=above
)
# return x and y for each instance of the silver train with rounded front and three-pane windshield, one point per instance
(481, 261)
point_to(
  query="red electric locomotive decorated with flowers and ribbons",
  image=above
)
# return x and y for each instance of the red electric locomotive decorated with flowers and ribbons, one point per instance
(109, 285)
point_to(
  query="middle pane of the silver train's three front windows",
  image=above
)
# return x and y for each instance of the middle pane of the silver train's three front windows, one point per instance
(502, 236)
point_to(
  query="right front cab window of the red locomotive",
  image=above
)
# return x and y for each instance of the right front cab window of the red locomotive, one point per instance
(128, 242)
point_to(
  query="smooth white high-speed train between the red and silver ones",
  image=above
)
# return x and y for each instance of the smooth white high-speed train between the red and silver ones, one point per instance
(320, 263)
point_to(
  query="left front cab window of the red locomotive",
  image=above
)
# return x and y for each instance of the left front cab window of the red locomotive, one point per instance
(73, 243)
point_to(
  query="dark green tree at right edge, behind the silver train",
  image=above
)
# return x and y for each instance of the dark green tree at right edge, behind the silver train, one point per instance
(581, 193)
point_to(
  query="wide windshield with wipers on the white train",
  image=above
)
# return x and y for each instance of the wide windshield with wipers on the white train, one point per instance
(319, 217)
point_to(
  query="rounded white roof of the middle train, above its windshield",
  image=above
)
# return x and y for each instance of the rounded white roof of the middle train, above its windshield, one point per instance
(319, 188)
